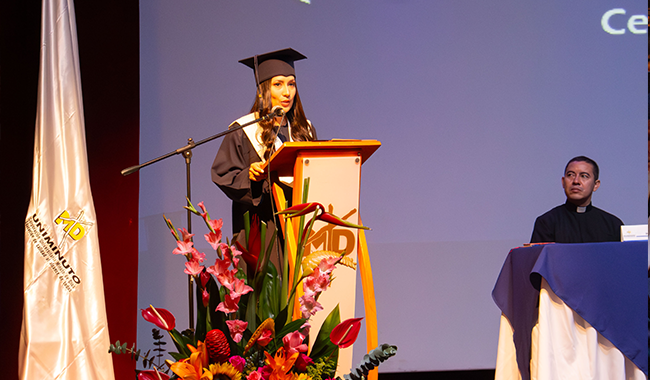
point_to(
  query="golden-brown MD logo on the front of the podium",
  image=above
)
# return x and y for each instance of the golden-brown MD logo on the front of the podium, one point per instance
(333, 238)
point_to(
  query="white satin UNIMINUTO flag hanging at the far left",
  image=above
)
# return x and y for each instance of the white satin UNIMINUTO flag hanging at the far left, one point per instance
(65, 332)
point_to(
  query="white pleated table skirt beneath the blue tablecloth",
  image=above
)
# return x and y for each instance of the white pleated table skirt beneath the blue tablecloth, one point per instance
(564, 346)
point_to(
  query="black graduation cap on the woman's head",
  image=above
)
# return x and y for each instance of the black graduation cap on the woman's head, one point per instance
(279, 62)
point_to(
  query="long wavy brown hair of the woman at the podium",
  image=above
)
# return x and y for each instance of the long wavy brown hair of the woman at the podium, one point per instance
(300, 128)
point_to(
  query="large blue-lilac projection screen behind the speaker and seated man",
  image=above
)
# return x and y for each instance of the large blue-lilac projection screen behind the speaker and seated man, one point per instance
(478, 105)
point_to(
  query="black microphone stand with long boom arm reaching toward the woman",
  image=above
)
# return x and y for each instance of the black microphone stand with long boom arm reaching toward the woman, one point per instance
(186, 151)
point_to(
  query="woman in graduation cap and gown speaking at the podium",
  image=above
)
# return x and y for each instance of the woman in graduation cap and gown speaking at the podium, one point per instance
(237, 168)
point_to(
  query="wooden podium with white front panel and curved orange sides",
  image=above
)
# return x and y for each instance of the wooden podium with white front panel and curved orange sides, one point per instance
(334, 172)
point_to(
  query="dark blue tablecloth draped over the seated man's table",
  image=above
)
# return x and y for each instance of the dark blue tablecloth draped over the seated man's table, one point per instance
(605, 283)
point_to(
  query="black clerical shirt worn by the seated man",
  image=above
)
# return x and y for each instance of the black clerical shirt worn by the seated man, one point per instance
(564, 224)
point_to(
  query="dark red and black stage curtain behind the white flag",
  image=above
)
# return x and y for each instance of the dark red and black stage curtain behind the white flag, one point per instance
(109, 61)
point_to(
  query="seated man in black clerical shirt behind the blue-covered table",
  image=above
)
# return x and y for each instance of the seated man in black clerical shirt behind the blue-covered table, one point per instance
(577, 221)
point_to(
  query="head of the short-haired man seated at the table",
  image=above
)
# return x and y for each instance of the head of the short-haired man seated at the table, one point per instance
(579, 183)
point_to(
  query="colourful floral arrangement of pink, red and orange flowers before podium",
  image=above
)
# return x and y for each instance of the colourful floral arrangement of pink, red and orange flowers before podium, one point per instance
(246, 325)
